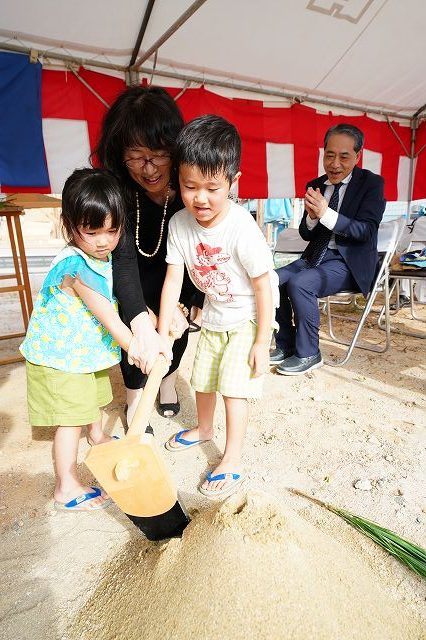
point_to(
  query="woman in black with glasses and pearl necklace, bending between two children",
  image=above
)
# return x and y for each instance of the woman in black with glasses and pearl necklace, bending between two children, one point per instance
(137, 144)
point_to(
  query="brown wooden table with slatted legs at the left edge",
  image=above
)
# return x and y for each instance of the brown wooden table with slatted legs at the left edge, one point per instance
(11, 211)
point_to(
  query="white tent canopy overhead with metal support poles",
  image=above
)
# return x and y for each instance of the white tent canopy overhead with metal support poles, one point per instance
(364, 53)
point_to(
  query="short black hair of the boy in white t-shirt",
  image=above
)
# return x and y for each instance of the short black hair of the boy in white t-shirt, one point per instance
(212, 144)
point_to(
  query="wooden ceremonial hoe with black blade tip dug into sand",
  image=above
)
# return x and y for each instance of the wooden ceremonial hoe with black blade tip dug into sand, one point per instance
(132, 470)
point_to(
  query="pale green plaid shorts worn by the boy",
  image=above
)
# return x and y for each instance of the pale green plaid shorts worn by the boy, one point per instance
(221, 363)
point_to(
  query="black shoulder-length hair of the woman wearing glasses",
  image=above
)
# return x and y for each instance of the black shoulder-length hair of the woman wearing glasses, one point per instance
(140, 117)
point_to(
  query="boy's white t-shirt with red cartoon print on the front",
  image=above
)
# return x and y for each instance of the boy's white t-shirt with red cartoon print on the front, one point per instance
(220, 261)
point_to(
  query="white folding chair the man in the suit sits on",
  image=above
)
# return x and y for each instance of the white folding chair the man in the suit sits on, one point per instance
(388, 236)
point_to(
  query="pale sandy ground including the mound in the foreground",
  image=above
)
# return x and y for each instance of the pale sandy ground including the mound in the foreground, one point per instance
(276, 567)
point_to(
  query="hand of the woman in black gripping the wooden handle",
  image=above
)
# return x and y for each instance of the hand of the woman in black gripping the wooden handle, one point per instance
(148, 344)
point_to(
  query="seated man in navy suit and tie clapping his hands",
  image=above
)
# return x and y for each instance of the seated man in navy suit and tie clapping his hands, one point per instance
(343, 210)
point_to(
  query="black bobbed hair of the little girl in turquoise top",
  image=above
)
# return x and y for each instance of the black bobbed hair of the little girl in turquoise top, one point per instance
(88, 198)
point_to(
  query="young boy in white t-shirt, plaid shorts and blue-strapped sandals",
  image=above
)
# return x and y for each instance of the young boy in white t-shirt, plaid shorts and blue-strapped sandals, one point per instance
(228, 259)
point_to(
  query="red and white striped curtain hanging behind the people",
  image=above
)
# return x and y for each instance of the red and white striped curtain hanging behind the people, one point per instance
(282, 146)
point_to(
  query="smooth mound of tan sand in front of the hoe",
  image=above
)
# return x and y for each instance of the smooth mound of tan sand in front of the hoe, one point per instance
(245, 569)
